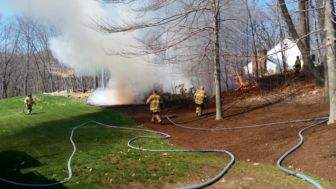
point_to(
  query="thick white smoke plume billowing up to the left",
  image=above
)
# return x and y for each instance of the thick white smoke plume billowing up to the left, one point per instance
(81, 48)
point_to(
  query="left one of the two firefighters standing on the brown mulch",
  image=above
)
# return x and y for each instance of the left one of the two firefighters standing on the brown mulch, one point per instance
(156, 104)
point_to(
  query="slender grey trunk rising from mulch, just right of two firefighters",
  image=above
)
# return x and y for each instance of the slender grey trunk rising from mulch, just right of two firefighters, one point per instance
(215, 22)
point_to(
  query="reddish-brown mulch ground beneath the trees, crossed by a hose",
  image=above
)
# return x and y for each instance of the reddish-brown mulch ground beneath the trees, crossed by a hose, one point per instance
(265, 144)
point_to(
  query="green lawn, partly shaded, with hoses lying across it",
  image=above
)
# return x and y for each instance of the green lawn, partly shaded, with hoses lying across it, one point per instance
(35, 149)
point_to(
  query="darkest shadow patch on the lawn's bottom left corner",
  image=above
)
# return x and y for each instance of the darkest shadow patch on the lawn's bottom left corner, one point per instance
(11, 164)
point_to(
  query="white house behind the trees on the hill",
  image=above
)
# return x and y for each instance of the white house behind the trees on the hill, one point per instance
(274, 60)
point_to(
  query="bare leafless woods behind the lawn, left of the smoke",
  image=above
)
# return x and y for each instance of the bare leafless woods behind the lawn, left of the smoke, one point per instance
(28, 65)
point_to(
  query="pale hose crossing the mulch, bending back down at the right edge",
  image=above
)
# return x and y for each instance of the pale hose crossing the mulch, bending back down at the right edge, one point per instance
(324, 119)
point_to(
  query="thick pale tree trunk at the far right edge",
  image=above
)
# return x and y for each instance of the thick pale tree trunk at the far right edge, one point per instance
(330, 57)
